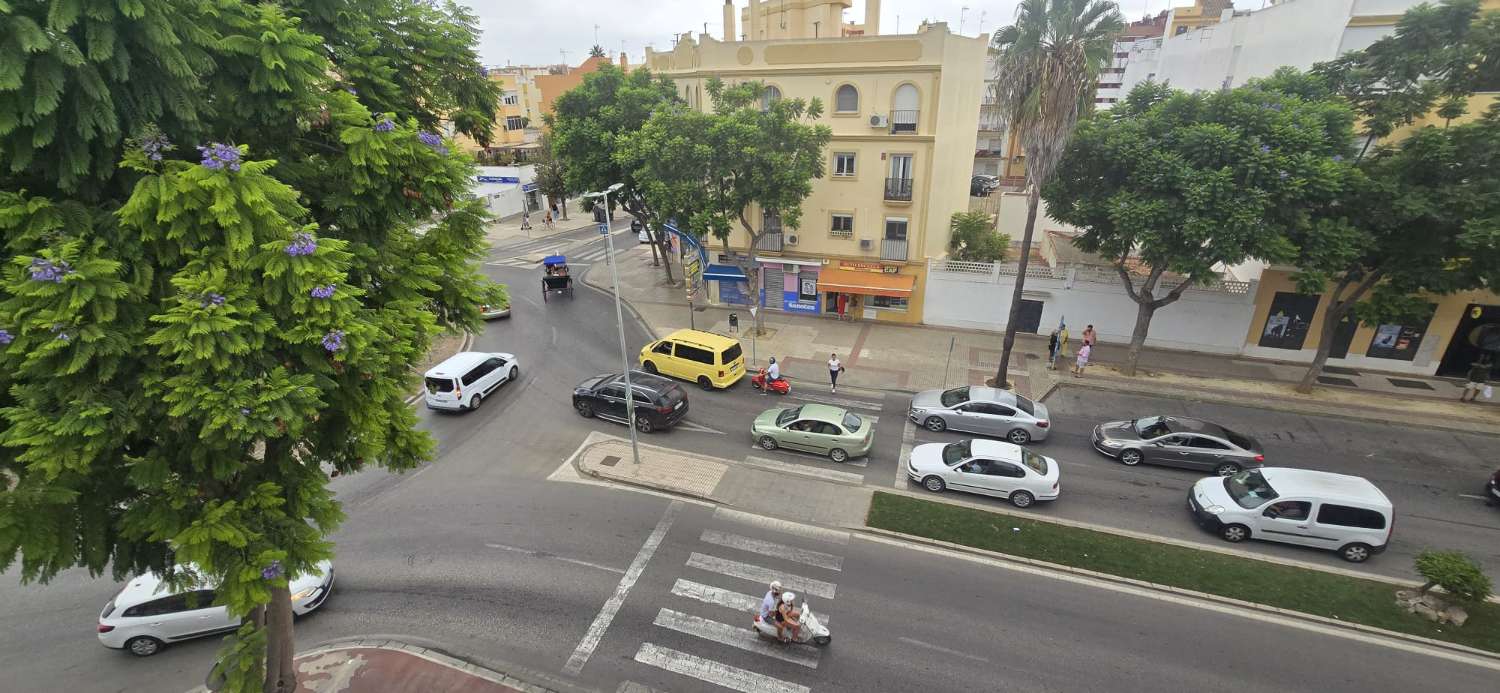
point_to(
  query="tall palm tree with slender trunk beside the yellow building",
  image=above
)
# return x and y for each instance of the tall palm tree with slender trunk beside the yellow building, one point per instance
(1049, 65)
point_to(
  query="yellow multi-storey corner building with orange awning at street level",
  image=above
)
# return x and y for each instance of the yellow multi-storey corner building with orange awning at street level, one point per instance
(904, 113)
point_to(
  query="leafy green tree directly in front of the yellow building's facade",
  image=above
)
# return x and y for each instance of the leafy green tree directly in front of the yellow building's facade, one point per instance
(710, 169)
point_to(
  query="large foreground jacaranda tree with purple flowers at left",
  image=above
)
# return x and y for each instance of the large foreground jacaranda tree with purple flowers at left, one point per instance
(212, 290)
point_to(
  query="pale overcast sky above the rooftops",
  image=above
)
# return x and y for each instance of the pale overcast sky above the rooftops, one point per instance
(526, 32)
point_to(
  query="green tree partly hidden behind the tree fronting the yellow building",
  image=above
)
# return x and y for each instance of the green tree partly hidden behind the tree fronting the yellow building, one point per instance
(589, 127)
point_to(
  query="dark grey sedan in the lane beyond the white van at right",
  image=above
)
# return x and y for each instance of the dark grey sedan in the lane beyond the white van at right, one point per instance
(1178, 442)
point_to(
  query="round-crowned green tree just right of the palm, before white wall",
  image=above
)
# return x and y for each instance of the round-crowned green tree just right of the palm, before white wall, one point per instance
(1192, 184)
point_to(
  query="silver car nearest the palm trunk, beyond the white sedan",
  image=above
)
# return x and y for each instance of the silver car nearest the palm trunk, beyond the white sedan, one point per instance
(985, 412)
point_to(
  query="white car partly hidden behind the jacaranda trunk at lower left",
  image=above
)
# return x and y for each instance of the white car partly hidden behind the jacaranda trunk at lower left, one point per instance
(146, 616)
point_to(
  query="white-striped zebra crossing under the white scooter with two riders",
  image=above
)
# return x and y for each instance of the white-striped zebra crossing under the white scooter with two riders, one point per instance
(722, 586)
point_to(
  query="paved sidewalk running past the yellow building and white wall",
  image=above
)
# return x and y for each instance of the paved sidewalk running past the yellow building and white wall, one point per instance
(920, 358)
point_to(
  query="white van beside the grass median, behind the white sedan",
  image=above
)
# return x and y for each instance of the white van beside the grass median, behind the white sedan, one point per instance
(1336, 512)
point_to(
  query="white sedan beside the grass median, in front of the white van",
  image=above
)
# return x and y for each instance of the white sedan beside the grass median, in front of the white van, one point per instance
(997, 469)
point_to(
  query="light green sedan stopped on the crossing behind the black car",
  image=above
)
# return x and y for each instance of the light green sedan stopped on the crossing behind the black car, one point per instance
(817, 430)
